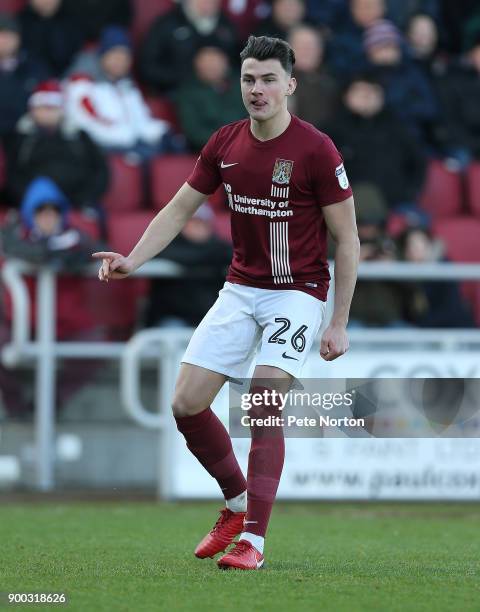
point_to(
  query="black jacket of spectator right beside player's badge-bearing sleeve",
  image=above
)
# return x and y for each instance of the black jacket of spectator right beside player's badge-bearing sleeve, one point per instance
(380, 150)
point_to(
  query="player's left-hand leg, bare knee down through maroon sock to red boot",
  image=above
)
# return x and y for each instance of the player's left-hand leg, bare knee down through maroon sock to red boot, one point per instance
(210, 442)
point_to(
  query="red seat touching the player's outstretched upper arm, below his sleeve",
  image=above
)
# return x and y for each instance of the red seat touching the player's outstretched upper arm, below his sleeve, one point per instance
(168, 173)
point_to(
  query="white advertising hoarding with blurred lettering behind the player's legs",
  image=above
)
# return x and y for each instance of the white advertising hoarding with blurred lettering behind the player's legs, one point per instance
(360, 468)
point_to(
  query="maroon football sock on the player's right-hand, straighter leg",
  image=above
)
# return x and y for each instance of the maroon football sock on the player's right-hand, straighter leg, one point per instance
(265, 464)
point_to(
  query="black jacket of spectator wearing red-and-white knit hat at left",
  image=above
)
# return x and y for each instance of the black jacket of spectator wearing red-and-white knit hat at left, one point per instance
(70, 158)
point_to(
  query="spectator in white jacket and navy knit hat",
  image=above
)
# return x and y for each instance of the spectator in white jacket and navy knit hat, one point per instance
(103, 100)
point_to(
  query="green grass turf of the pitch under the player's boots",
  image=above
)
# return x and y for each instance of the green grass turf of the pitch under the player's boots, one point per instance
(342, 557)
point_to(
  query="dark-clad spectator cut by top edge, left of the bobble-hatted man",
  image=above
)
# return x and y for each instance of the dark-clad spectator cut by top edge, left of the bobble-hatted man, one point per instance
(346, 52)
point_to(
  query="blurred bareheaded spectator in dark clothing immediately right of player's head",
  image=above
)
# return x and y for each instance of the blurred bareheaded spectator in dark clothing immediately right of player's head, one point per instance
(317, 97)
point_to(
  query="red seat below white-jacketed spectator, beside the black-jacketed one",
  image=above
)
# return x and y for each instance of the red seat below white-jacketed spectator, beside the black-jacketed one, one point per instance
(125, 192)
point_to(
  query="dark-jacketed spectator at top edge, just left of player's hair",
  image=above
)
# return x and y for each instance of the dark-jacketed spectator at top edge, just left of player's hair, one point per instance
(166, 55)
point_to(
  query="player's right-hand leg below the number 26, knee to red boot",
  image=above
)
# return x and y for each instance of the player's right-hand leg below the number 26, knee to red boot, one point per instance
(265, 464)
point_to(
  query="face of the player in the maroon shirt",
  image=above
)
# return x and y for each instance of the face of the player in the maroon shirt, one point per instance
(265, 86)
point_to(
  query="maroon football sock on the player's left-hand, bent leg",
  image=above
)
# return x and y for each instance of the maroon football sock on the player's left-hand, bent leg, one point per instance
(210, 442)
